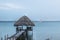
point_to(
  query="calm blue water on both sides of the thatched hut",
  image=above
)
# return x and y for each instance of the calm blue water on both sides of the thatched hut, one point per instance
(41, 30)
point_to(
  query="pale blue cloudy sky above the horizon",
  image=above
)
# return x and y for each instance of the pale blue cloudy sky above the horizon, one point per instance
(45, 10)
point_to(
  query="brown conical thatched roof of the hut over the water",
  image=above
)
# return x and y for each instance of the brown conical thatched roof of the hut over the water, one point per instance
(24, 21)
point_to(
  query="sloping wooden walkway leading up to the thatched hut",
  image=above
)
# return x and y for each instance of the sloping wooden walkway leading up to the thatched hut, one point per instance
(19, 35)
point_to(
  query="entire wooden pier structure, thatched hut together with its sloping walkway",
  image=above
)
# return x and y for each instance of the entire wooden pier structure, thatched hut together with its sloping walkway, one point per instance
(21, 33)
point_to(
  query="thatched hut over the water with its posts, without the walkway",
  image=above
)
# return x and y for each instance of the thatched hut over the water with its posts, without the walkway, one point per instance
(25, 21)
